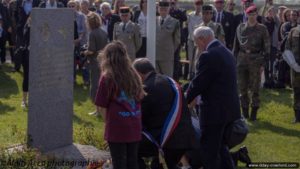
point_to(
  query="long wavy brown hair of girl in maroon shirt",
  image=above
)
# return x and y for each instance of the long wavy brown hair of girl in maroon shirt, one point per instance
(117, 69)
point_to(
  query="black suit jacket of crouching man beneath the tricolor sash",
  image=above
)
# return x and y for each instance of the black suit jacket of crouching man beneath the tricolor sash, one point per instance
(155, 109)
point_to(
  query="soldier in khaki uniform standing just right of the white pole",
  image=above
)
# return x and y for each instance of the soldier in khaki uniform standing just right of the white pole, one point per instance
(167, 39)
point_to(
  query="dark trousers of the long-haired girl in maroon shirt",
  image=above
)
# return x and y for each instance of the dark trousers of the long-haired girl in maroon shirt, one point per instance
(124, 155)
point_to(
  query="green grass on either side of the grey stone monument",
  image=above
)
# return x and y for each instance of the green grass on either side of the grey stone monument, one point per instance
(13, 119)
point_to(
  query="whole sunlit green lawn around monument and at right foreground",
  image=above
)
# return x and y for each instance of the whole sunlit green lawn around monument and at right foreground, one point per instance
(273, 138)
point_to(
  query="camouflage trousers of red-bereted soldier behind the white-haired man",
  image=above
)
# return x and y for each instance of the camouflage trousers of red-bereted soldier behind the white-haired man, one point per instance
(249, 83)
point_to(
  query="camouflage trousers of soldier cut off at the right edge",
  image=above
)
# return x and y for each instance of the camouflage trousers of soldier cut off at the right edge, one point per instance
(295, 78)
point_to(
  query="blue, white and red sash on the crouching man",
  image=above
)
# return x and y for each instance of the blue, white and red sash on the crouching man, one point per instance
(171, 121)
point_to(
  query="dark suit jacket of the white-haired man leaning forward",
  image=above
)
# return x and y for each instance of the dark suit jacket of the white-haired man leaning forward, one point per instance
(216, 82)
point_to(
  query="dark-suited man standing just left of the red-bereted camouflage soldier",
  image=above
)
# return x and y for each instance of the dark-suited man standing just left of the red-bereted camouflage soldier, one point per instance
(226, 20)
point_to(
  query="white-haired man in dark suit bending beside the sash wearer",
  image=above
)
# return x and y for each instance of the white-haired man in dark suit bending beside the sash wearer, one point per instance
(216, 82)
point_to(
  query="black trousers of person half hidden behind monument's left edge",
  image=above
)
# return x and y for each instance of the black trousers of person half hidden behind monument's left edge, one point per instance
(25, 65)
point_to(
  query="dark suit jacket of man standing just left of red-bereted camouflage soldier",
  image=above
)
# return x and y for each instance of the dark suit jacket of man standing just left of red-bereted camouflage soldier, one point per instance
(227, 23)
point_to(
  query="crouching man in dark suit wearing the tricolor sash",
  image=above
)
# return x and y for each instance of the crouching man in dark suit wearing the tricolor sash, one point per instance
(156, 107)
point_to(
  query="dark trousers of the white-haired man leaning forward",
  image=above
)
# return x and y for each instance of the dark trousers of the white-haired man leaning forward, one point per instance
(214, 154)
